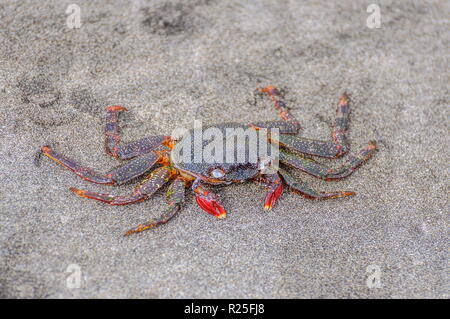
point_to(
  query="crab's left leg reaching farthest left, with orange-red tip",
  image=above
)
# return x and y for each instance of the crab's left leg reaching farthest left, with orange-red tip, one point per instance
(120, 175)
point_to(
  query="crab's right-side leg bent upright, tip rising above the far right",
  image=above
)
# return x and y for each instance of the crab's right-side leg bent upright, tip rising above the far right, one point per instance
(335, 148)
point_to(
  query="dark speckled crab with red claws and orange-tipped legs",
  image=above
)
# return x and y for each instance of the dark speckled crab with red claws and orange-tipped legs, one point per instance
(155, 159)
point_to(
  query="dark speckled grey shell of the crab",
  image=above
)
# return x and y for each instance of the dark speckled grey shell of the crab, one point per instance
(193, 158)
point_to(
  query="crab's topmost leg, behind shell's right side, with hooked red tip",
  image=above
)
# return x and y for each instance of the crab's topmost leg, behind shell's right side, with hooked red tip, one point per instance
(290, 124)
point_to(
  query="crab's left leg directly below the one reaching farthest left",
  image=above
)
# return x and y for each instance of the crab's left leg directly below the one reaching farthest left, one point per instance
(144, 190)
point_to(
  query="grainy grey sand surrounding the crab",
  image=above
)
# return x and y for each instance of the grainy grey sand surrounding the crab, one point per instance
(173, 62)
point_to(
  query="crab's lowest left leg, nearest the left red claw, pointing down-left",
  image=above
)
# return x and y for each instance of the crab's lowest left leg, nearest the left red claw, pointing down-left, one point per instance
(175, 198)
